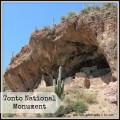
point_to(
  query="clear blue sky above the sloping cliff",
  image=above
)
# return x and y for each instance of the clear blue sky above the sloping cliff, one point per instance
(20, 19)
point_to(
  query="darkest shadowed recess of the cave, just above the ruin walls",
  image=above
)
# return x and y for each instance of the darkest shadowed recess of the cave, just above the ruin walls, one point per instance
(96, 67)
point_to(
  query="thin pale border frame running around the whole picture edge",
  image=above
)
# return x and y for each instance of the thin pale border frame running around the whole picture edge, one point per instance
(62, 2)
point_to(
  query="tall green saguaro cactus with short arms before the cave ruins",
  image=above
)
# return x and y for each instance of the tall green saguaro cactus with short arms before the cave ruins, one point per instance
(59, 86)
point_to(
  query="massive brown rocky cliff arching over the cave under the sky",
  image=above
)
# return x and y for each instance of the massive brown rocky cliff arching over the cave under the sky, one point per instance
(80, 41)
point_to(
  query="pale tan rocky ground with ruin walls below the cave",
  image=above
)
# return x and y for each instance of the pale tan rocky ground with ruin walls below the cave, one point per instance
(104, 100)
